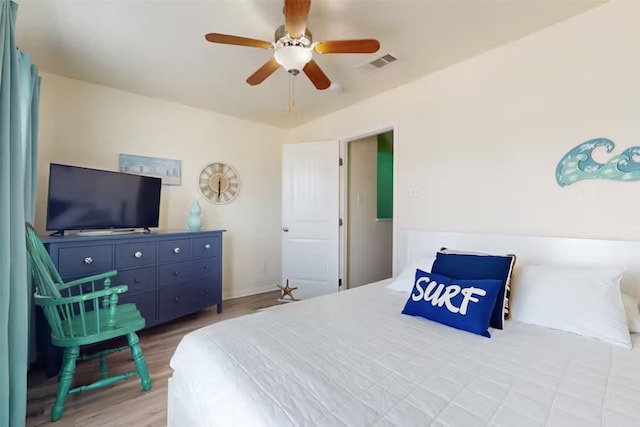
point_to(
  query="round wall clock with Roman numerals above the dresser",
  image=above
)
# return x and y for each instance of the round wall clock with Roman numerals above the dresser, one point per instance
(219, 183)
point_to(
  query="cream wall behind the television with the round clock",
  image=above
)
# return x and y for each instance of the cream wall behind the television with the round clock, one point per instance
(89, 125)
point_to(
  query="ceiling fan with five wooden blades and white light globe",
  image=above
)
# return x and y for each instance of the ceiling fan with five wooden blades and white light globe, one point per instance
(294, 46)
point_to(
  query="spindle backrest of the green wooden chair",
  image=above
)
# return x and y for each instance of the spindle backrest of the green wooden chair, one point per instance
(45, 276)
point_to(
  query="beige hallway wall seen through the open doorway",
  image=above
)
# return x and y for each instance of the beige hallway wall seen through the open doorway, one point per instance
(370, 243)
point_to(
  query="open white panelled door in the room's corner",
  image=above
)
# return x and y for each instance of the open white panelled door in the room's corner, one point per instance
(310, 215)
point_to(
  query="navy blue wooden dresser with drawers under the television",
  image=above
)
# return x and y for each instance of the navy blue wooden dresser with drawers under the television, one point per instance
(169, 274)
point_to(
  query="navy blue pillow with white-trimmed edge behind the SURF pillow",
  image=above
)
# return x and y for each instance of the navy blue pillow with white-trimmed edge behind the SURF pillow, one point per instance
(480, 266)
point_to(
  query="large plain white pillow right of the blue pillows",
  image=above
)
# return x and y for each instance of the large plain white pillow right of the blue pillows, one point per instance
(583, 300)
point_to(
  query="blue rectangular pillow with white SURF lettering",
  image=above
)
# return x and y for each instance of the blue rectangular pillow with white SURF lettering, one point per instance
(462, 304)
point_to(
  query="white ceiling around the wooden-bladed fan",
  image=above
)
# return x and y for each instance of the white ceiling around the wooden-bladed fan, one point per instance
(157, 47)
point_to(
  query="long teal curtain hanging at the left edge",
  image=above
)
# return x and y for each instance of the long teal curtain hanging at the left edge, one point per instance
(19, 99)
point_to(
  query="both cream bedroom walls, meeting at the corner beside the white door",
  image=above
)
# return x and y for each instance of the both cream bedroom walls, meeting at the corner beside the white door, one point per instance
(477, 143)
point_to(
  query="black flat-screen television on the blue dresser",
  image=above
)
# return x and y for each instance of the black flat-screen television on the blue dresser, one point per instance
(83, 198)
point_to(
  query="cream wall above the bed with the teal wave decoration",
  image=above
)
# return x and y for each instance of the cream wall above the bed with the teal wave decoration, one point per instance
(479, 142)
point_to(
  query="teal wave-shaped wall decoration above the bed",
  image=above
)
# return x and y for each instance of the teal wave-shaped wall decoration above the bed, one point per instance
(578, 164)
